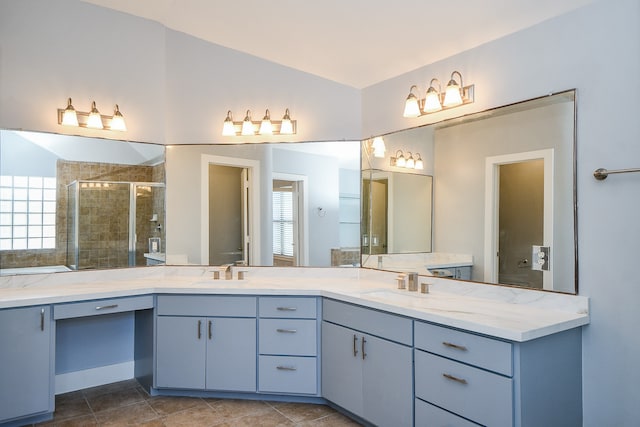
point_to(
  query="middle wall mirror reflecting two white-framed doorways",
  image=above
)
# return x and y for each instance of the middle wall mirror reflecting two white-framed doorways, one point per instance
(282, 204)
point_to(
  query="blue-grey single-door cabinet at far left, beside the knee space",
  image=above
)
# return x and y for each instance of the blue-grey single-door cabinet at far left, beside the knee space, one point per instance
(26, 379)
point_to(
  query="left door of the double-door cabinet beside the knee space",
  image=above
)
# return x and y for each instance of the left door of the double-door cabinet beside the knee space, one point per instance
(180, 354)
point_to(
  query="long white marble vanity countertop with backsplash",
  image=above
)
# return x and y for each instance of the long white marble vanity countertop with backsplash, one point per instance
(503, 312)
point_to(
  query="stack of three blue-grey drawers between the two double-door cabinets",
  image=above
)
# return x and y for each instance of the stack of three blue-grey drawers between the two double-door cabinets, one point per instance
(288, 345)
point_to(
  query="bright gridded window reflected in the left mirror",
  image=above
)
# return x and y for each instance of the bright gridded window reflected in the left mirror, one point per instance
(27, 212)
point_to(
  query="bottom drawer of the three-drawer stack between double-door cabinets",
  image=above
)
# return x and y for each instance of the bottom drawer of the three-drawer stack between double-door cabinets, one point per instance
(281, 374)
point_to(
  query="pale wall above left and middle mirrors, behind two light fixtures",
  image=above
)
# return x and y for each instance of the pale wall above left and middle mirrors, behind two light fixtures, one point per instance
(171, 88)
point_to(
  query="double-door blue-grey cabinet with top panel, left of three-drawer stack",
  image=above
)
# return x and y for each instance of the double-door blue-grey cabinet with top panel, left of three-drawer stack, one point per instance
(206, 342)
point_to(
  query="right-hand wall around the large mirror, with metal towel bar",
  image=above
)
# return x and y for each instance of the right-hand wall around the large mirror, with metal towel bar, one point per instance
(596, 50)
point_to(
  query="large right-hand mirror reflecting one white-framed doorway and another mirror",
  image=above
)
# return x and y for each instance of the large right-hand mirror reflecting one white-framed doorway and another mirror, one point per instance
(504, 196)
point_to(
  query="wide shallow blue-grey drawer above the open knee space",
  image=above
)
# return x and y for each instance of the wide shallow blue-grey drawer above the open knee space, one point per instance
(103, 306)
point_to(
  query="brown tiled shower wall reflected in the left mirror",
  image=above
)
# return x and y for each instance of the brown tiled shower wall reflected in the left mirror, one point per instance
(102, 208)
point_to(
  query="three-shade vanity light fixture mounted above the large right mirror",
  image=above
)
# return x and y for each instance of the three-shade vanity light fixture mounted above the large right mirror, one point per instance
(456, 94)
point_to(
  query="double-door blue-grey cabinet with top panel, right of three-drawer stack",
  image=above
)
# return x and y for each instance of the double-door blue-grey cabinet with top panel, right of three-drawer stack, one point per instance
(367, 363)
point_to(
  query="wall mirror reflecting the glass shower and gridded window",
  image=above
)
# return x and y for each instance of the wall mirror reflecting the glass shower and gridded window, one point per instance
(76, 203)
